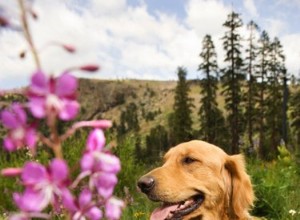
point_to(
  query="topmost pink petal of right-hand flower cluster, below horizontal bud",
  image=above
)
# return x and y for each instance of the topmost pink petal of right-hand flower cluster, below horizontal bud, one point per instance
(96, 140)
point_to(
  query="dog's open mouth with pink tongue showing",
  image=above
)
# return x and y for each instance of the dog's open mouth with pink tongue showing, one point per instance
(177, 211)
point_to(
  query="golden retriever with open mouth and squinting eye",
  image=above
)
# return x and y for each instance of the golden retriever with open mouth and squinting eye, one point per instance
(199, 181)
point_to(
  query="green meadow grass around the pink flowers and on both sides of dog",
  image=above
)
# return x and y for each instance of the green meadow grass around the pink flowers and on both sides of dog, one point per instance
(276, 183)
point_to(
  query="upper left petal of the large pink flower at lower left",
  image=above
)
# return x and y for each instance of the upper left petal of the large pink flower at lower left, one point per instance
(34, 173)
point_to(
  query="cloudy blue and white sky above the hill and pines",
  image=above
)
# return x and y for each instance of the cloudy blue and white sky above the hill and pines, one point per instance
(140, 39)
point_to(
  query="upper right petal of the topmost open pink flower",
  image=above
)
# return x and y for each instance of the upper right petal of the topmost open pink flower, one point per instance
(66, 86)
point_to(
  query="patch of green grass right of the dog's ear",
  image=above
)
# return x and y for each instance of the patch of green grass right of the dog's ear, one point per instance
(277, 189)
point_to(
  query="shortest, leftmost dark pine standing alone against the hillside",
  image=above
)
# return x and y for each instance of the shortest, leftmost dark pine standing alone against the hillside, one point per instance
(182, 109)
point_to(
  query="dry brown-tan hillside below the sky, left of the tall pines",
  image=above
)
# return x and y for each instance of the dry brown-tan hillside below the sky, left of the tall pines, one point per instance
(106, 99)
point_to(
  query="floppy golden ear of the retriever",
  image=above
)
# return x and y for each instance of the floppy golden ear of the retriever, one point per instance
(242, 196)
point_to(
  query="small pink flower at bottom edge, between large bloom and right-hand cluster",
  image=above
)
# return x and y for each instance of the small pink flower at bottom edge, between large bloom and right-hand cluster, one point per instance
(82, 208)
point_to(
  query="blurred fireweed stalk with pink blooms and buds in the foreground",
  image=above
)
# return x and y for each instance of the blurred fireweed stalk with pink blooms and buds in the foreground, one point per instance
(50, 187)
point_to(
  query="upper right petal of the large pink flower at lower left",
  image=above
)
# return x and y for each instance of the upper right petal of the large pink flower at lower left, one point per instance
(59, 170)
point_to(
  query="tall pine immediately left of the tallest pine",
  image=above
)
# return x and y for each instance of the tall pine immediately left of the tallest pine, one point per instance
(211, 118)
